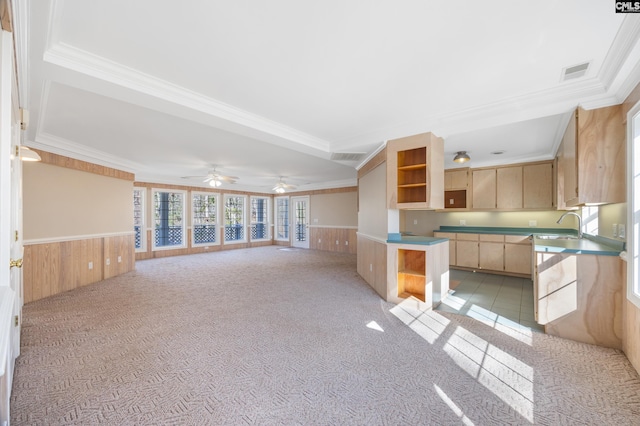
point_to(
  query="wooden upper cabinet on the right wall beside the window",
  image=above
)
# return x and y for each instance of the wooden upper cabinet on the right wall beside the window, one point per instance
(591, 158)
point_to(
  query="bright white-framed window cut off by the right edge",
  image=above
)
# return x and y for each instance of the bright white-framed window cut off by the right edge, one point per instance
(633, 205)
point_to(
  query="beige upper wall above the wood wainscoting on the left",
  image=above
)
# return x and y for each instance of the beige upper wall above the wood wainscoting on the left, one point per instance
(60, 203)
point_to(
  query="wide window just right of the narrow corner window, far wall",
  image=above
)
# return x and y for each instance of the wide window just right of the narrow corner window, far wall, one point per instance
(169, 219)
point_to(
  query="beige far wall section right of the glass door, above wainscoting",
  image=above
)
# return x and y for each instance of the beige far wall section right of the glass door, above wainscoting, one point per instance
(337, 209)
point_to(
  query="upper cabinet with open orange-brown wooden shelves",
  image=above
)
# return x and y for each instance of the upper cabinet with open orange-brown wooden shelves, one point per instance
(415, 172)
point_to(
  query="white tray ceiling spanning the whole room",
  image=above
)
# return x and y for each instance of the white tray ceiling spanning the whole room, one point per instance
(167, 89)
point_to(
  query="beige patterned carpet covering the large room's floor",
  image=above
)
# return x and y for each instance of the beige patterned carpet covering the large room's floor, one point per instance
(284, 337)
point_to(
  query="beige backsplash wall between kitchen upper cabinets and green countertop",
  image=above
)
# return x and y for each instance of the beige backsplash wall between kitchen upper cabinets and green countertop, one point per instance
(428, 221)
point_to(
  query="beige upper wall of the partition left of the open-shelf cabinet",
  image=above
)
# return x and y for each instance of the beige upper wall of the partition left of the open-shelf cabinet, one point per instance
(372, 217)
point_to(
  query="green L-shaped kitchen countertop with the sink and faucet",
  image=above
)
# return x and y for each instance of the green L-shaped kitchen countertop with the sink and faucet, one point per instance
(589, 244)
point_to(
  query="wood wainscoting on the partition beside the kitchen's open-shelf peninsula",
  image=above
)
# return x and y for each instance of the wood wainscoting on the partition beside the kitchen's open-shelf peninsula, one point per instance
(372, 263)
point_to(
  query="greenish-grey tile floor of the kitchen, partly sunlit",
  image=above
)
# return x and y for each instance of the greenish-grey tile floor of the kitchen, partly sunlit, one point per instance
(508, 297)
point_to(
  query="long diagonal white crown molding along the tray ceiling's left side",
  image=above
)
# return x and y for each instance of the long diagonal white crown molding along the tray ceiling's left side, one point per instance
(80, 61)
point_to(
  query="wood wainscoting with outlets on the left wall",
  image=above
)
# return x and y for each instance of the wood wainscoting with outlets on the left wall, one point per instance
(58, 266)
